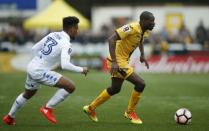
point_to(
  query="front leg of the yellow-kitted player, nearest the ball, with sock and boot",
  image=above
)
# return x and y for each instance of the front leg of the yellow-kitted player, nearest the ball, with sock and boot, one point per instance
(135, 96)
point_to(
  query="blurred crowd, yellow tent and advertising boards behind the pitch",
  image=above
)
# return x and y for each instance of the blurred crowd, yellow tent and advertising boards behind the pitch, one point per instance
(179, 42)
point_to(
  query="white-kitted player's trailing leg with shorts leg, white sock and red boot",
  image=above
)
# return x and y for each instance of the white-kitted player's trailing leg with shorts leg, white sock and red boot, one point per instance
(31, 89)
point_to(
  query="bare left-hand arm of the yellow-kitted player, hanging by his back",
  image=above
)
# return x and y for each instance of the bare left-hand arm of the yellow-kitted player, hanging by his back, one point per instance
(112, 45)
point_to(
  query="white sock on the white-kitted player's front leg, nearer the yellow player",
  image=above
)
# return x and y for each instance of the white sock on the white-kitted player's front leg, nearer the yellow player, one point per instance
(58, 97)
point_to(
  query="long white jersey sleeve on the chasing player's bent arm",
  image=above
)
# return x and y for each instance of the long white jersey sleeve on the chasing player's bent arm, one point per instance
(65, 60)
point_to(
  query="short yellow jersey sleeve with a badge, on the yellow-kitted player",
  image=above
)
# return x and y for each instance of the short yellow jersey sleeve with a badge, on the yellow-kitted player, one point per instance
(124, 31)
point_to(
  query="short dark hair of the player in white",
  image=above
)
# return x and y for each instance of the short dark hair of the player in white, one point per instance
(69, 21)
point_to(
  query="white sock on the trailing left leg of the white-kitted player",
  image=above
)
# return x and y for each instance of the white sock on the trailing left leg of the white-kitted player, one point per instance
(19, 102)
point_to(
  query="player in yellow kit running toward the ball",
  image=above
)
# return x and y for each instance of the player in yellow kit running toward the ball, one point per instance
(121, 45)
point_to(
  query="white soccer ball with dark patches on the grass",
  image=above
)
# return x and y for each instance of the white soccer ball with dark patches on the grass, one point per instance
(183, 116)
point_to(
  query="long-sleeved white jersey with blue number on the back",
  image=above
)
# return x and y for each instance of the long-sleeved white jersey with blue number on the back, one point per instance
(52, 49)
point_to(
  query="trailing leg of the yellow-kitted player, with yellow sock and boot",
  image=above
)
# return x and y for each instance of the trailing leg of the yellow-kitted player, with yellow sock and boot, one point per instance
(103, 96)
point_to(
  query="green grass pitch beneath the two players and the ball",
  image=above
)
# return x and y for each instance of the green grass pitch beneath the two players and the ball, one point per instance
(163, 95)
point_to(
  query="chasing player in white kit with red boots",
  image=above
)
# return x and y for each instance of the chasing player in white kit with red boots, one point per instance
(53, 48)
